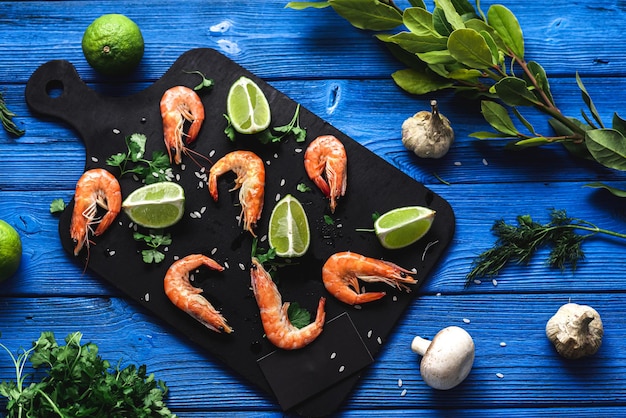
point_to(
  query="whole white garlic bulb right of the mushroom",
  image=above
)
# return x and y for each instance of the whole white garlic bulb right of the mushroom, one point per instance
(575, 330)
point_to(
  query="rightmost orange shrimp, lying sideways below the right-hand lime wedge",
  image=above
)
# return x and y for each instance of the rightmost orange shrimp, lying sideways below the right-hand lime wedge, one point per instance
(341, 272)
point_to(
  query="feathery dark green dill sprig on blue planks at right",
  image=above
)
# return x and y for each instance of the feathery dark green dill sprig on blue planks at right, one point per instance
(519, 243)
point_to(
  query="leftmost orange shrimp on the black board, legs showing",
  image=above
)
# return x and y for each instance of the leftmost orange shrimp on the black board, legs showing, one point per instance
(95, 188)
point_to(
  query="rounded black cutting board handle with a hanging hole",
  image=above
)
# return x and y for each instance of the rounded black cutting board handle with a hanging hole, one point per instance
(54, 88)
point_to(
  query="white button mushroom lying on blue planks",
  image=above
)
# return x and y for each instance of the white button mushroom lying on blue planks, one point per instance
(447, 359)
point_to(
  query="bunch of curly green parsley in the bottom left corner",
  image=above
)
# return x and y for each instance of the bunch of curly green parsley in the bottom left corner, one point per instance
(79, 383)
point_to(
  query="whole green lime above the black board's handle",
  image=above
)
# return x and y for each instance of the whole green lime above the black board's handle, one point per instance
(113, 45)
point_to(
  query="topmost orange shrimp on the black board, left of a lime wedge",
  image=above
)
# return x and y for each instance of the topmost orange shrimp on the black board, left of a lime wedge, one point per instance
(180, 104)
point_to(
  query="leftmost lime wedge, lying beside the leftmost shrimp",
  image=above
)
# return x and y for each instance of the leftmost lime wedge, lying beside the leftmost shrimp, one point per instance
(156, 205)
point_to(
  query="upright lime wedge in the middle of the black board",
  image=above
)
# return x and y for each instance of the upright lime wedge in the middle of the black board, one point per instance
(289, 228)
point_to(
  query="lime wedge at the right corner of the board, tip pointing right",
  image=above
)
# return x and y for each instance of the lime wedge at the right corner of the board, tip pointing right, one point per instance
(401, 227)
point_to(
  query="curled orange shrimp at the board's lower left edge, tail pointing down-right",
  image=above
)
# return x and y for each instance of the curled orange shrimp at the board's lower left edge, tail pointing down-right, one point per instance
(187, 297)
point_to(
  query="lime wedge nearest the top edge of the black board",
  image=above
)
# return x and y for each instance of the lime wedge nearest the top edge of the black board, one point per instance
(247, 107)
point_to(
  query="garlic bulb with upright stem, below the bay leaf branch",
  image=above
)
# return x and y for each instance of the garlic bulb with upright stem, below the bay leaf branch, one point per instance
(428, 134)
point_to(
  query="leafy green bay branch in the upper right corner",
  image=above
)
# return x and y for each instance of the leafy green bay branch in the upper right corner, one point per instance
(457, 46)
